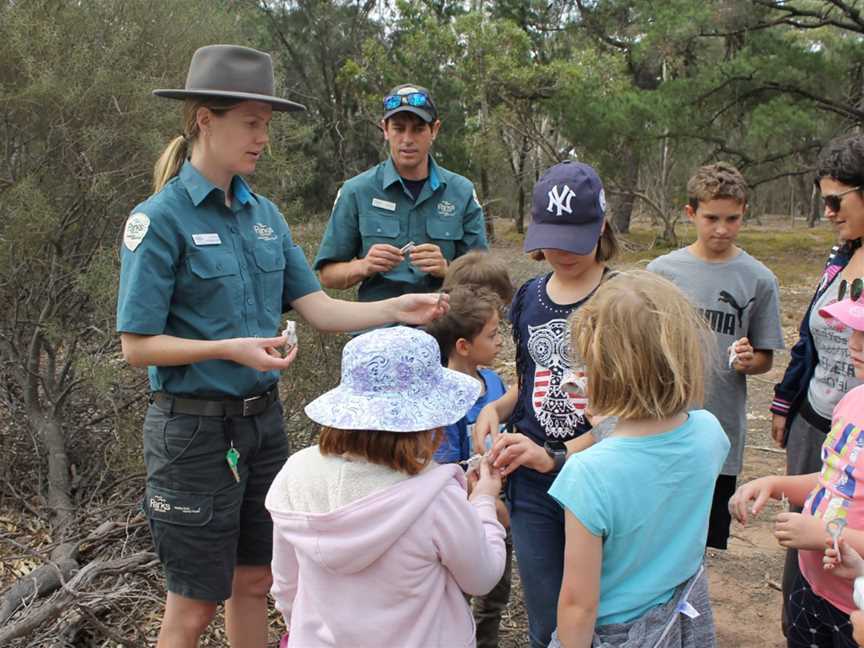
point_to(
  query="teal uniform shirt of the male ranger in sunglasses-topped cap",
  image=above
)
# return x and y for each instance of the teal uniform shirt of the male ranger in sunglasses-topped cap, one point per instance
(375, 207)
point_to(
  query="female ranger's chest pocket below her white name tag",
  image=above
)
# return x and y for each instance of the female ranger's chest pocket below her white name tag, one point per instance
(214, 286)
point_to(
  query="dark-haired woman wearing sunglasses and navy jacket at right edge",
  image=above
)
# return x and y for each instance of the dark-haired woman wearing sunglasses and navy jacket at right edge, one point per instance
(820, 371)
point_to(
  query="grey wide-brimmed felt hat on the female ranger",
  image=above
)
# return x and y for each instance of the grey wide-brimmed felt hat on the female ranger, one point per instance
(232, 72)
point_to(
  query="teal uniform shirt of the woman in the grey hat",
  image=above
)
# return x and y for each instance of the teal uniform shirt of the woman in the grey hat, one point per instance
(194, 268)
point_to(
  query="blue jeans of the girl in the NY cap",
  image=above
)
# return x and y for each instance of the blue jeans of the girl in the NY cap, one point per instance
(537, 525)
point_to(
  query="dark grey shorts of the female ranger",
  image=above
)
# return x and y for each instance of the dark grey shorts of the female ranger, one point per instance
(203, 521)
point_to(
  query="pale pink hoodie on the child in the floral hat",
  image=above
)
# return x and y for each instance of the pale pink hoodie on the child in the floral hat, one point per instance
(387, 569)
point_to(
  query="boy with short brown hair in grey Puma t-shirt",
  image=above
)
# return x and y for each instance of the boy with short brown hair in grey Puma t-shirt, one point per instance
(740, 299)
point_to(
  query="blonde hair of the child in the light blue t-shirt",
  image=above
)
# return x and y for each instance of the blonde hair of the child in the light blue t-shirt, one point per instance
(643, 346)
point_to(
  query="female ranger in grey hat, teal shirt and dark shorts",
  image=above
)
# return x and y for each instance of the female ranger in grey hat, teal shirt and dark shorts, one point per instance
(207, 268)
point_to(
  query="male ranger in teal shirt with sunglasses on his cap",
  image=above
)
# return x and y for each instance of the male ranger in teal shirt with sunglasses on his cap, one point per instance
(396, 227)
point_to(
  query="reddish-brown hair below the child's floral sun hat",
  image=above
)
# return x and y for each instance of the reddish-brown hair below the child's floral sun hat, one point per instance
(408, 452)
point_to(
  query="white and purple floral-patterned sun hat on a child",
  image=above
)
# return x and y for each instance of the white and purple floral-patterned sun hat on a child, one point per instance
(393, 381)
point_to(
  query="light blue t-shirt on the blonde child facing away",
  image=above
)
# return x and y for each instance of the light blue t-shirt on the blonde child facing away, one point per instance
(649, 498)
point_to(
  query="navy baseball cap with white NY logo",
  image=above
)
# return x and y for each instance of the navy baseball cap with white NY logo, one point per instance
(568, 209)
